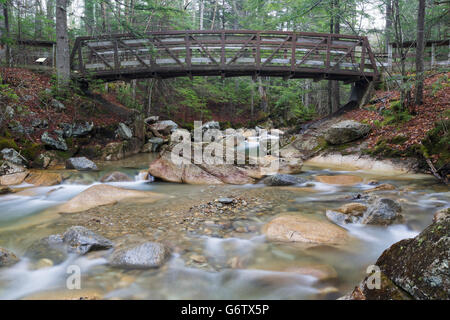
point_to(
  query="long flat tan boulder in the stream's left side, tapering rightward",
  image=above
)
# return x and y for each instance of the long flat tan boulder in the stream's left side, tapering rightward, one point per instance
(101, 194)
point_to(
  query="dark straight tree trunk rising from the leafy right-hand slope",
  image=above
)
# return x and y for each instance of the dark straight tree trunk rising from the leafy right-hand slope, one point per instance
(419, 52)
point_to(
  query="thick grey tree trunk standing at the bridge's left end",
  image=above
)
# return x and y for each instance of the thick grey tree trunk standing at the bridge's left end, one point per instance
(62, 44)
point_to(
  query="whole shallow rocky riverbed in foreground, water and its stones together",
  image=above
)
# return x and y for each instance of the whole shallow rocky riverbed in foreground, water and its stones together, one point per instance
(273, 239)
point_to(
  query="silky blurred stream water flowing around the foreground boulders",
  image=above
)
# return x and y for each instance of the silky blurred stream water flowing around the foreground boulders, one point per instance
(214, 255)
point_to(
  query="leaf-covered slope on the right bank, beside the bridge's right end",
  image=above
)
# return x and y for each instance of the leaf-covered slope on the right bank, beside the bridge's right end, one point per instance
(414, 130)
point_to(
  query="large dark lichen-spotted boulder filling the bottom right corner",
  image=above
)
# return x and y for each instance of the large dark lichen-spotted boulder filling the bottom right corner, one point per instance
(416, 268)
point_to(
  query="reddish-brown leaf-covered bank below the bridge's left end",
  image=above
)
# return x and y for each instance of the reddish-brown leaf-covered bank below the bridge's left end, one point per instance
(30, 87)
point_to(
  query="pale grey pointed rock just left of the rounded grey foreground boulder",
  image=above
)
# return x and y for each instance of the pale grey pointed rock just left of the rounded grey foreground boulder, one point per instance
(81, 240)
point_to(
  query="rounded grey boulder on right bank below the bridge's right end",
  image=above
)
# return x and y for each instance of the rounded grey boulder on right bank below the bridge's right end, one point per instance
(346, 131)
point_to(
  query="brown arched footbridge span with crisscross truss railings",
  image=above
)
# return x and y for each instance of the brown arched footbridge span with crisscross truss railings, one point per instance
(227, 53)
